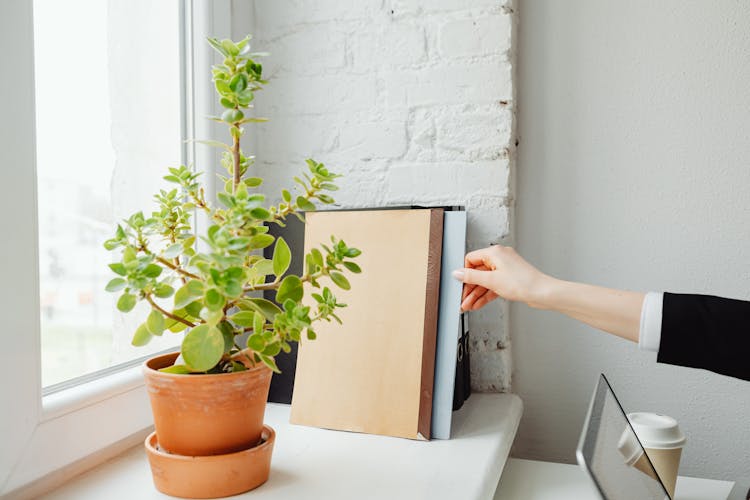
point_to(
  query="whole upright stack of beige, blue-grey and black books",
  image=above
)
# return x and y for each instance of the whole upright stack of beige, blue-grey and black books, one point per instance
(399, 364)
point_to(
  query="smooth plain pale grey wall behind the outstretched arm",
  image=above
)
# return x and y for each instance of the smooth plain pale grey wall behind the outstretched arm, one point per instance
(633, 172)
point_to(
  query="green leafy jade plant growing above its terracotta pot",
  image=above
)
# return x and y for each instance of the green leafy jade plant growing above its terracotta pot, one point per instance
(207, 284)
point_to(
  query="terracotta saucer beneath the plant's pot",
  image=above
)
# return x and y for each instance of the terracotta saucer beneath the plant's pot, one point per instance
(212, 476)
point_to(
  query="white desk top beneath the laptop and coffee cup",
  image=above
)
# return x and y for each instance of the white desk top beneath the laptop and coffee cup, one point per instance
(532, 480)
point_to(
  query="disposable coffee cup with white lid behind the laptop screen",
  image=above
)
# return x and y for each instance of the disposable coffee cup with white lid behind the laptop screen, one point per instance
(663, 441)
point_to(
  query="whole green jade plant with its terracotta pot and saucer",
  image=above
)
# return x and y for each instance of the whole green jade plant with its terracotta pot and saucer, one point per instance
(208, 400)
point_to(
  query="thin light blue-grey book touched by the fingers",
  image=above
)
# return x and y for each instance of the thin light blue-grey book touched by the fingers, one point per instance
(449, 323)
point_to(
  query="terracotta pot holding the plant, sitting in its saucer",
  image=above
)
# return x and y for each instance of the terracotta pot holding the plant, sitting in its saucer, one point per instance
(198, 415)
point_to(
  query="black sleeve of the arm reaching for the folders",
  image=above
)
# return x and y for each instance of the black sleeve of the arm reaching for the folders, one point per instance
(702, 331)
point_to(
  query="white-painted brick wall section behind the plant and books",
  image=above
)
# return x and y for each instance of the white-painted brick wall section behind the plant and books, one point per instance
(412, 100)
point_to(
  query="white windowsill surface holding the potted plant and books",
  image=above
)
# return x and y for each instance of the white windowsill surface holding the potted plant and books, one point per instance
(318, 463)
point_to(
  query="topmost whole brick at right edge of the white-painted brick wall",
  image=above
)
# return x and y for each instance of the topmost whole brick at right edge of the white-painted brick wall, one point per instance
(476, 36)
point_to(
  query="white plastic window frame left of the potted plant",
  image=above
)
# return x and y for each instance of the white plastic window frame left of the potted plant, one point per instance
(47, 438)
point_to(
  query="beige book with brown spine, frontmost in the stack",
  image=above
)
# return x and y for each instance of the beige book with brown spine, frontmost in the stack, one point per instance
(375, 372)
